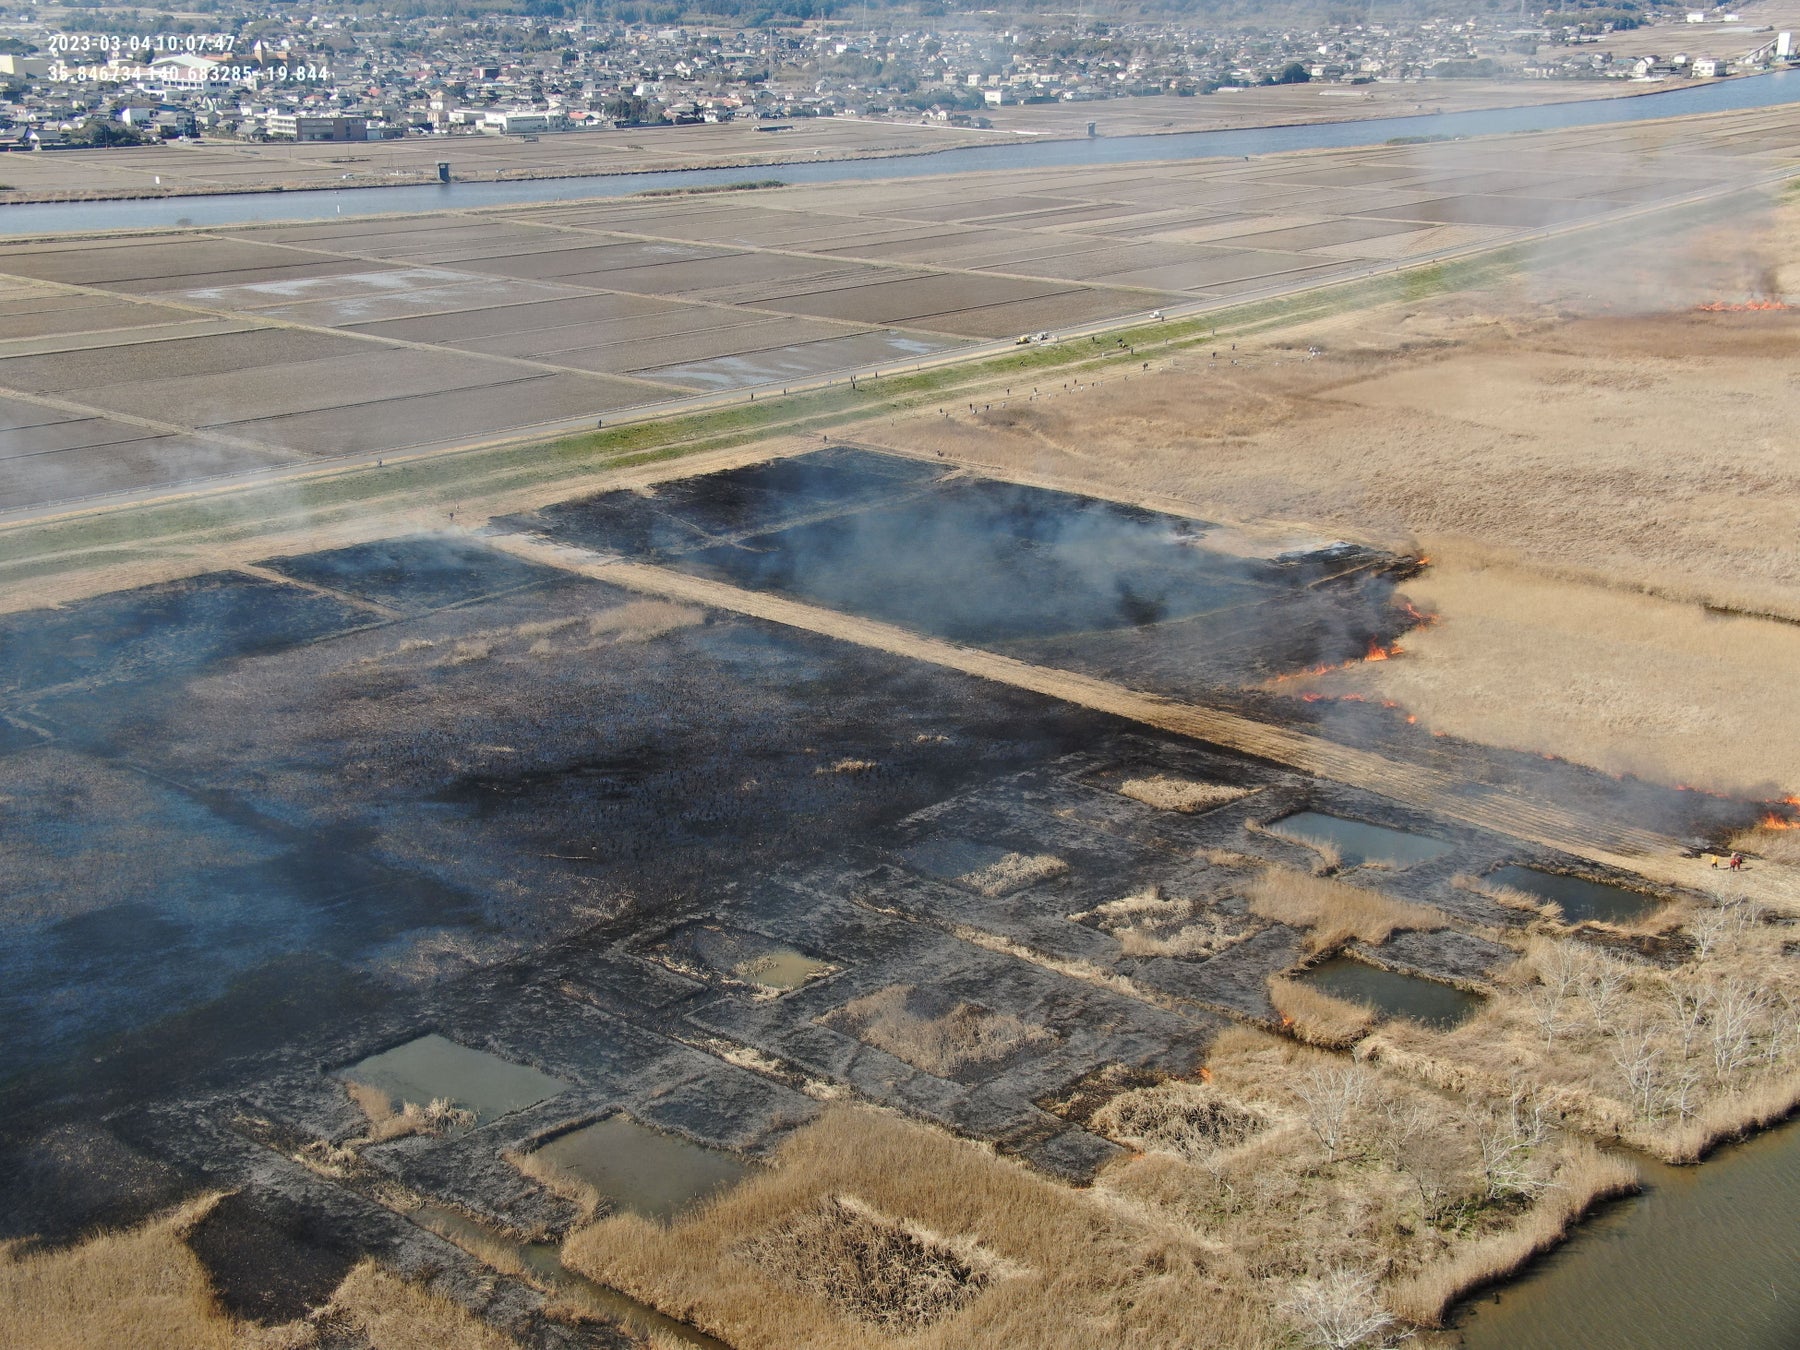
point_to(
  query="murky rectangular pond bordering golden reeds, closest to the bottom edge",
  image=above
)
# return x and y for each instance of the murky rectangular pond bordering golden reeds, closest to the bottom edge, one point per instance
(633, 1167)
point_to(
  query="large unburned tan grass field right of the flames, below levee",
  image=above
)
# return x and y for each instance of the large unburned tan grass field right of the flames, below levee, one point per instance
(1551, 469)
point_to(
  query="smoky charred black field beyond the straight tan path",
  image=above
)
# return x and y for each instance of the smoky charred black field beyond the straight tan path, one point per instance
(1041, 575)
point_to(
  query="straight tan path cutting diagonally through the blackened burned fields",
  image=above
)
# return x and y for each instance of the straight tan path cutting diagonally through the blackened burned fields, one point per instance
(1428, 789)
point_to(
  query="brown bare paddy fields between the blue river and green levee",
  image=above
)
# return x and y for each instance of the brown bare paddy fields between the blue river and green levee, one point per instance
(139, 363)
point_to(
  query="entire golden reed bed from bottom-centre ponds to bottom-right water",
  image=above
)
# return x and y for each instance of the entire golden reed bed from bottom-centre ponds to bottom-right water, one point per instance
(1277, 1200)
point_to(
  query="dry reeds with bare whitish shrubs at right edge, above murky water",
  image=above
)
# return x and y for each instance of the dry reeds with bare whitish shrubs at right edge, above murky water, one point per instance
(1666, 1059)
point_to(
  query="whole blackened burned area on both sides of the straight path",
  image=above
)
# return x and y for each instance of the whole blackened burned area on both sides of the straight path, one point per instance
(688, 868)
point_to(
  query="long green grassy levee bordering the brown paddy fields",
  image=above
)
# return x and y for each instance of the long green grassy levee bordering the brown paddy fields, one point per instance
(217, 514)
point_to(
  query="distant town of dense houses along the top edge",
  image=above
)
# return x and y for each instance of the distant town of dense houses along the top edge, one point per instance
(276, 75)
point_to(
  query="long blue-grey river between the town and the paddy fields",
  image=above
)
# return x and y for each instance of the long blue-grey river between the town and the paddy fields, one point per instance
(323, 204)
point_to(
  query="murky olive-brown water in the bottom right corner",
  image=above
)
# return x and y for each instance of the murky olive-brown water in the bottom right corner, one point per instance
(1705, 1259)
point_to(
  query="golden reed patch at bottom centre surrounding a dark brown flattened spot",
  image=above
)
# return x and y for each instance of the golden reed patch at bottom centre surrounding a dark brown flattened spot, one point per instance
(1061, 1268)
